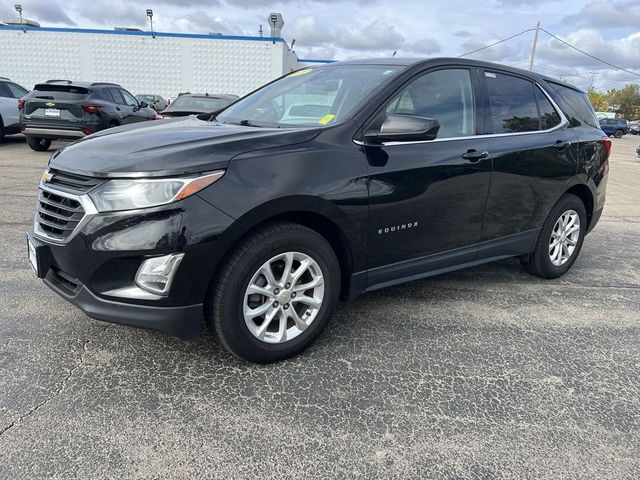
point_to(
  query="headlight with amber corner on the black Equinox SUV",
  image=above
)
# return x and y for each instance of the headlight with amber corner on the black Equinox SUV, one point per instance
(143, 193)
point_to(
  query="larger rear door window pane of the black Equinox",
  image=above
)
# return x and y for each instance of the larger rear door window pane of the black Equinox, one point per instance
(513, 103)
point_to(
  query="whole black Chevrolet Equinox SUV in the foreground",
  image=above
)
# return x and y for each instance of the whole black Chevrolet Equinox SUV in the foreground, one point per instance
(323, 184)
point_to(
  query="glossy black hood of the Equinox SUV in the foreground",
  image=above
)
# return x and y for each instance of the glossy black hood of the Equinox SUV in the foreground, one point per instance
(169, 147)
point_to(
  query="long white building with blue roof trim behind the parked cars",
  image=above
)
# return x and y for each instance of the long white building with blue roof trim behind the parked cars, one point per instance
(163, 64)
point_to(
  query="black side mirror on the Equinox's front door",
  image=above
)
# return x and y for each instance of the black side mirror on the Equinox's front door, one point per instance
(404, 128)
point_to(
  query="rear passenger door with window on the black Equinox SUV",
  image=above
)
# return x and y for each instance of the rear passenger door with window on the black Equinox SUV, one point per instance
(534, 157)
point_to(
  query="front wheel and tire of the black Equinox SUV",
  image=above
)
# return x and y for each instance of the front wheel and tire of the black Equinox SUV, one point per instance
(229, 298)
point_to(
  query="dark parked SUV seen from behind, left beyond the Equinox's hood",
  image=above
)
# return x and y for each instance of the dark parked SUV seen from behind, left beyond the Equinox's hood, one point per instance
(60, 109)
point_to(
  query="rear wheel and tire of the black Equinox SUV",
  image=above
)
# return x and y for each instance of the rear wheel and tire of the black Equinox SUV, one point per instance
(540, 262)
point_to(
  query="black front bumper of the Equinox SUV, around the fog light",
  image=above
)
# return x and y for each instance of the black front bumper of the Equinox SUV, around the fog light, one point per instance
(95, 269)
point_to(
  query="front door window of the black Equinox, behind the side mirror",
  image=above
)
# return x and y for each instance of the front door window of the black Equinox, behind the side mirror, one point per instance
(444, 95)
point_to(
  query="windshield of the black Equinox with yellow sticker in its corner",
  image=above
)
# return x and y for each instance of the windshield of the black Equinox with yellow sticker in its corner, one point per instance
(311, 96)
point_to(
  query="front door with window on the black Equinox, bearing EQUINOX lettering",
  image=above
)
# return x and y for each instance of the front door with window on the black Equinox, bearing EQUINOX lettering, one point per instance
(427, 198)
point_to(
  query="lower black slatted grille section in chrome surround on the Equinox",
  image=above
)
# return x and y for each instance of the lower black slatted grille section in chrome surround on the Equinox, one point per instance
(57, 216)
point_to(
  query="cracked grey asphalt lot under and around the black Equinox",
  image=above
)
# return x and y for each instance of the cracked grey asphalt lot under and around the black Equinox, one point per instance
(484, 373)
